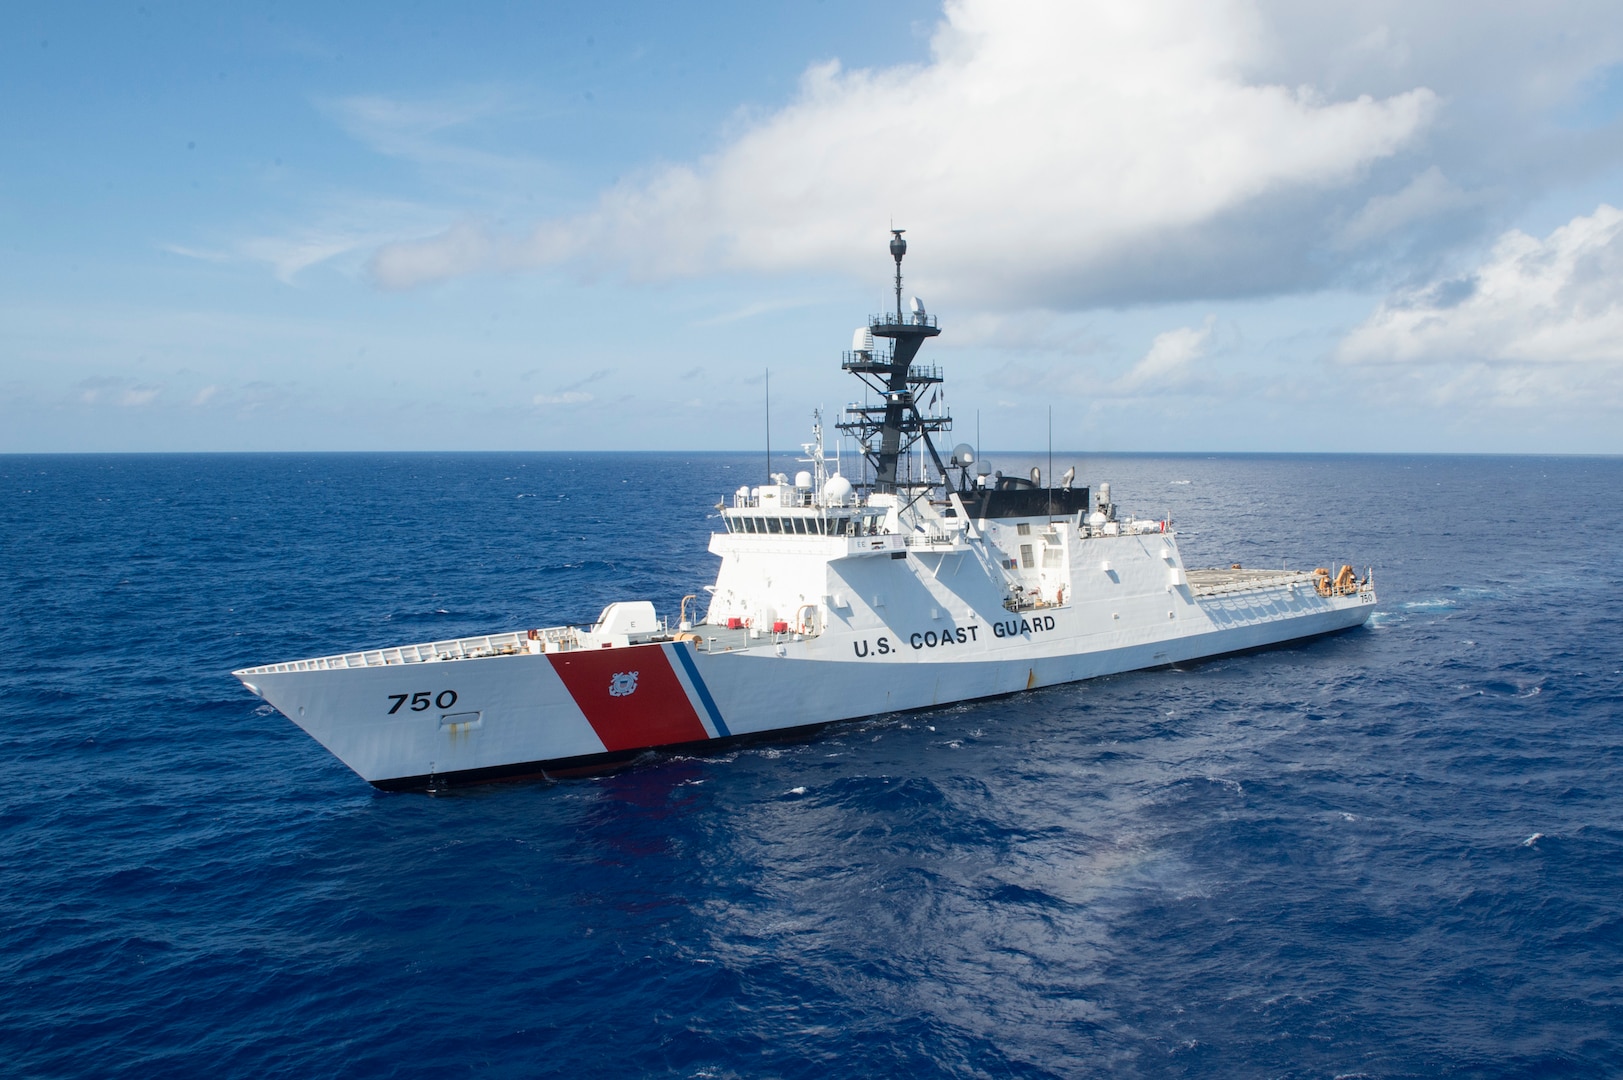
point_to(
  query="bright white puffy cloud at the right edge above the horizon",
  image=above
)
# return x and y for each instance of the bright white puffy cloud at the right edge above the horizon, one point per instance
(1538, 321)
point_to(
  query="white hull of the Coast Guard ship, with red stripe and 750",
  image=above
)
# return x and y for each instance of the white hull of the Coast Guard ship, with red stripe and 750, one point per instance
(429, 725)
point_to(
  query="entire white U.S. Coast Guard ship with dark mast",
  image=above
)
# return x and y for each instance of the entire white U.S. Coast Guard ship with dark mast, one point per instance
(916, 584)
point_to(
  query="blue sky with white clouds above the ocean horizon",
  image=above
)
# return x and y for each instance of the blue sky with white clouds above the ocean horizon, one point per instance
(1174, 225)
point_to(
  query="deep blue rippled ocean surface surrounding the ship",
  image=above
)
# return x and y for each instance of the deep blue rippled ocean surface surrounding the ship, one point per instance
(1390, 853)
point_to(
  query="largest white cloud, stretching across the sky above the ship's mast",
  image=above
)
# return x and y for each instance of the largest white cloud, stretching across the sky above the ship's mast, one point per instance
(1085, 152)
